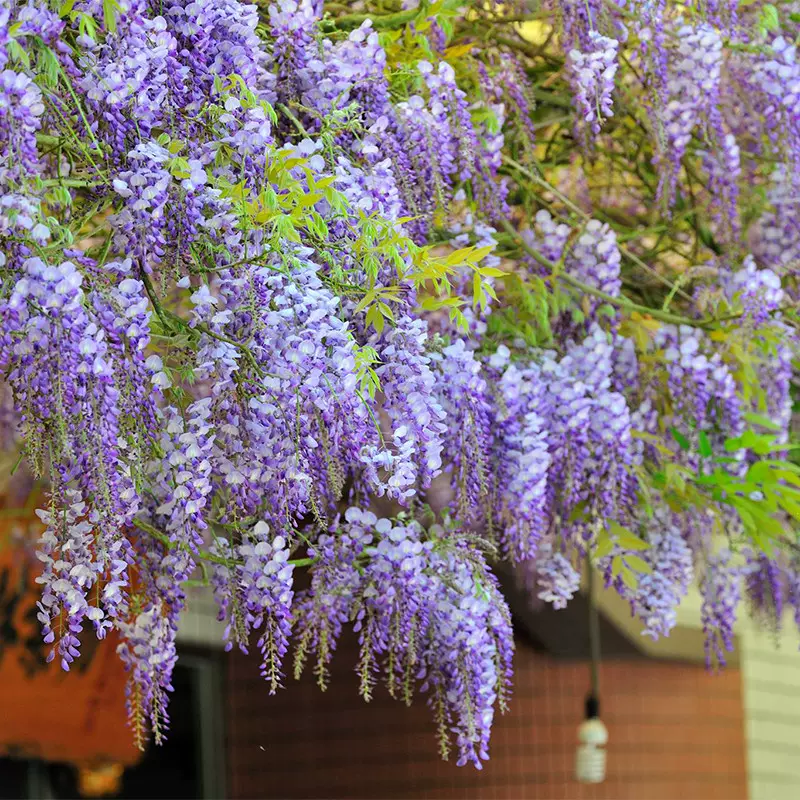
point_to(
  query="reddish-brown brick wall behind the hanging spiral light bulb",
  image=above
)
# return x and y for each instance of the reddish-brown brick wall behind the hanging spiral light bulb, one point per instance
(675, 733)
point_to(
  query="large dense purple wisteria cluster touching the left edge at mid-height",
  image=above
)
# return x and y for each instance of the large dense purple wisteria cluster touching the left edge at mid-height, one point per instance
(62, 374)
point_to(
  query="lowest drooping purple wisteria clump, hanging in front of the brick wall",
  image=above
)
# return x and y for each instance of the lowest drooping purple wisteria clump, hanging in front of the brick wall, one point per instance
(425, 609)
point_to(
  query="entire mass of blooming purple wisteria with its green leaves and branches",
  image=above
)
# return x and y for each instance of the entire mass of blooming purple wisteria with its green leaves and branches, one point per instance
(388, 297)
